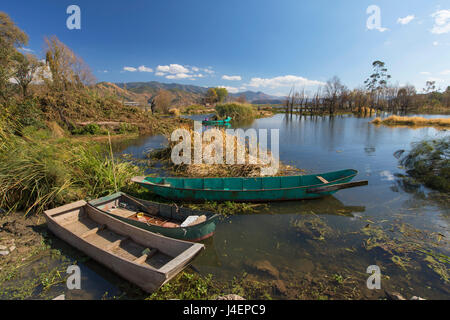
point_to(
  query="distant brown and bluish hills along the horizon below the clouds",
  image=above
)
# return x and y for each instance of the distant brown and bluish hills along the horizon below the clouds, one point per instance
(182, 94)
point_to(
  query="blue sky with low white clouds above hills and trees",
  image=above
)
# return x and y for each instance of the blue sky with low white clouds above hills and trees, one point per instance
(254, 45)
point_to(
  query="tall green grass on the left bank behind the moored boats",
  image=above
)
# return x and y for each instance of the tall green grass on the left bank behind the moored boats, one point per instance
(39, 174)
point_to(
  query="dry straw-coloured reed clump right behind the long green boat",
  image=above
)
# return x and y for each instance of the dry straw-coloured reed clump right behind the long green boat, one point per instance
(252, 167)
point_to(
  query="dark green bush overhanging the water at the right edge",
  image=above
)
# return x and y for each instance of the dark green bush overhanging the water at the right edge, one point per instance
(429, 162)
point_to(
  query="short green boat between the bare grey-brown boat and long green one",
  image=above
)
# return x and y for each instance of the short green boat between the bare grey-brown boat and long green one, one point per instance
(168, 220)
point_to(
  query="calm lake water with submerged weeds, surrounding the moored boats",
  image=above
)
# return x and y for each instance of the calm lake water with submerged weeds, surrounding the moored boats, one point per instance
(330, 242)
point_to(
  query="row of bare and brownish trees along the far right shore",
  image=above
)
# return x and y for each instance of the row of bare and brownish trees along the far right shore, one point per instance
(377, 94)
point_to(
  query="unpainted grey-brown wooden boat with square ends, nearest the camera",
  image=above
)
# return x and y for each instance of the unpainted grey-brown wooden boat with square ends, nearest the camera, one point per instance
(144, 258)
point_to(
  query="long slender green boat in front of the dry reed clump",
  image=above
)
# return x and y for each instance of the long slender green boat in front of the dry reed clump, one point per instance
(260, 189)
